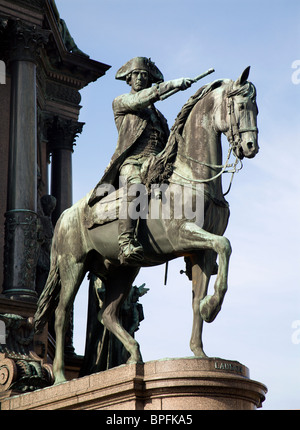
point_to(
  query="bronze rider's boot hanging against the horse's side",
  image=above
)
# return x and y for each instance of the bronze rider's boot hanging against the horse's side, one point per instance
(131, 251)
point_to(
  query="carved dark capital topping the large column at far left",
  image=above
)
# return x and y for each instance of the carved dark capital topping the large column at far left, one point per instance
(25, 40)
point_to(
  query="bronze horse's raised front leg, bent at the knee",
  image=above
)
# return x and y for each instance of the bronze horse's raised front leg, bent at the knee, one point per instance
(191, 237)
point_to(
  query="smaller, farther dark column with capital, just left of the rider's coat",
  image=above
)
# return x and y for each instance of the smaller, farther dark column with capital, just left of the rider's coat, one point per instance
(61, 137)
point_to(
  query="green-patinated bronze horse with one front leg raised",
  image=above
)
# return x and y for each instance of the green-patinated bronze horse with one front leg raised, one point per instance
(222, 107)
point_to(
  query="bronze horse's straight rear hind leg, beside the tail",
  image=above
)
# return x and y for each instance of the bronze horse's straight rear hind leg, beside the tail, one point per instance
(71, 276)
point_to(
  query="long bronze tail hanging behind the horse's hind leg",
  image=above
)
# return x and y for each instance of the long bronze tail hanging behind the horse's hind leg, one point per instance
(49, 298)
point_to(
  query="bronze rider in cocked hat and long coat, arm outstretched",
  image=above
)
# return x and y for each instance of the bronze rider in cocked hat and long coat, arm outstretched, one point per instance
(143, 131)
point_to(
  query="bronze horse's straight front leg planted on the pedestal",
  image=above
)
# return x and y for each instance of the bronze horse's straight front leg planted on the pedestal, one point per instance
(202, 268)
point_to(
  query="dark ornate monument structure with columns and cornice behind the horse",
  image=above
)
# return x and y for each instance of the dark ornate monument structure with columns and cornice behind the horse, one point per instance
(42, 72)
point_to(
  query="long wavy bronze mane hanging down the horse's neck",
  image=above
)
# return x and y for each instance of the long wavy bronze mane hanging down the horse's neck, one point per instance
(159, 168)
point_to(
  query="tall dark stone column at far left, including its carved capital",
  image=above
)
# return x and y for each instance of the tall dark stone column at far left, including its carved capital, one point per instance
(21, 216)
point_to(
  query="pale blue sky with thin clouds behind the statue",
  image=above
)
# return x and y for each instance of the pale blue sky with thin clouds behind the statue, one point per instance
(259, 324)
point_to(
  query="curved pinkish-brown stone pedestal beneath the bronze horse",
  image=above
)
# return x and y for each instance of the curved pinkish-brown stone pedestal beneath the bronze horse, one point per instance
(170, 384)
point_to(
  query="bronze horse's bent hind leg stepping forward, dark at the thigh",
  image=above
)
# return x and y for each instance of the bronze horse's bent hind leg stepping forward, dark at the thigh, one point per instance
(117, 287)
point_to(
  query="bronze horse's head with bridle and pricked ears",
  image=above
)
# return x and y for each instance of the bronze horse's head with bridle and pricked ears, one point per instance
(238, 116)
